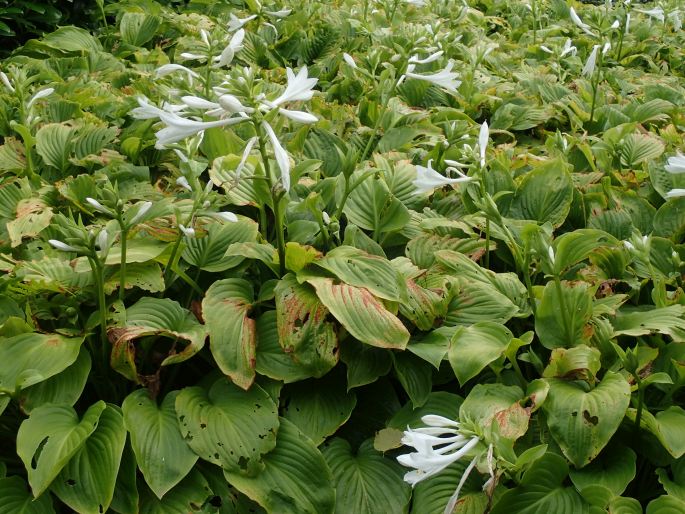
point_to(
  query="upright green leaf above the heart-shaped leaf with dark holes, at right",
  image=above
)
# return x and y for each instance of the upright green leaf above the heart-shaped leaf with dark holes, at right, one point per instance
(563, 315)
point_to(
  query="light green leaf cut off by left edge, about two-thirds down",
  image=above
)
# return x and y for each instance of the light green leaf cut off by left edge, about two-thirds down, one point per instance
(32, 358)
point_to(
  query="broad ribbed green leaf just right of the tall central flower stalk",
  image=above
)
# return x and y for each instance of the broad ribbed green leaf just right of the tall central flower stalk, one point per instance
(372, 206)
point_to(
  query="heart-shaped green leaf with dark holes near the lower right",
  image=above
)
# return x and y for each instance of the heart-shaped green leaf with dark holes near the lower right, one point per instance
(582, 421)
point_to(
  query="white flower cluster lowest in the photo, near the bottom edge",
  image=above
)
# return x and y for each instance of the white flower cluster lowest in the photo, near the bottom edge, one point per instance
(437, 446)
